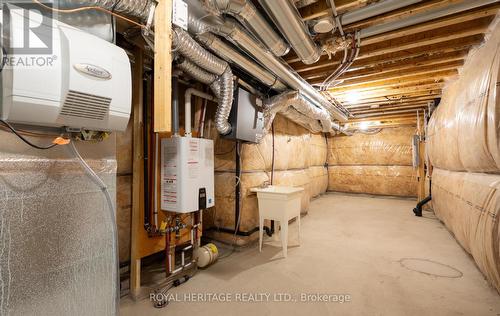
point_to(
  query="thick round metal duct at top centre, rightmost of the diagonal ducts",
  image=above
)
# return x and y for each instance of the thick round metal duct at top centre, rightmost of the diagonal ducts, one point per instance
(290, 24)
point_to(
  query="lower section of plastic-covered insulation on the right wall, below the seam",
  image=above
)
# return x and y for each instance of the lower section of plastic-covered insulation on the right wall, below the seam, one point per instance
(469, 205)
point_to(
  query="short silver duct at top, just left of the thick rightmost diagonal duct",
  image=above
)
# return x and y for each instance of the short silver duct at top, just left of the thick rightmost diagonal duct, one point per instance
(245, 12)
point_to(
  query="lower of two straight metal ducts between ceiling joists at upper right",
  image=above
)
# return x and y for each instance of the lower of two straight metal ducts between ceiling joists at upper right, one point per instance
(424, 17)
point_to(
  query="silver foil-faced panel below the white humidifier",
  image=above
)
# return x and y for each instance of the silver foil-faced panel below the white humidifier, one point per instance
(56, 239)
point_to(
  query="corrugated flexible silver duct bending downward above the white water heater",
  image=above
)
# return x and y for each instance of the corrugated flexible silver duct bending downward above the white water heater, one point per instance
(191, 50)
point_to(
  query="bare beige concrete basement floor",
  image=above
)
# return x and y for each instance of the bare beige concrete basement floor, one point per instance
(369, 248)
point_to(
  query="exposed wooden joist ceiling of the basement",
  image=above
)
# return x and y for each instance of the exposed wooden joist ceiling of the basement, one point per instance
(402, 70)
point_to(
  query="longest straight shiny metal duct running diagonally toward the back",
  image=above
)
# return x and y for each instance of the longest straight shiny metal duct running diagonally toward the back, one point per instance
(235, 33)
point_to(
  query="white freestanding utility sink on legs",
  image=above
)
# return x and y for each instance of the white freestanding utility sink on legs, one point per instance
(281, 204)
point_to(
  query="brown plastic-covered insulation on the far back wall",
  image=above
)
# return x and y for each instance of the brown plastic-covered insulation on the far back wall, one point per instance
(374, 163)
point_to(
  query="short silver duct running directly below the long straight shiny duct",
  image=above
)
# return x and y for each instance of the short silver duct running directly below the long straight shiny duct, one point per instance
(225, 51)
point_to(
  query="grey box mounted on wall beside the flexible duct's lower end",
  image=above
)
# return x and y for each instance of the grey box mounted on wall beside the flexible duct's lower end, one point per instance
(246, 118)
